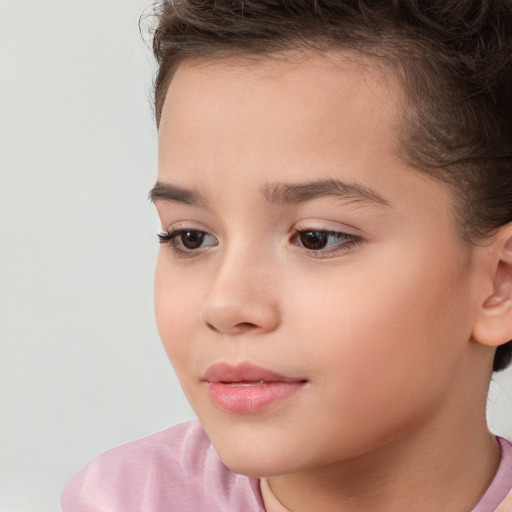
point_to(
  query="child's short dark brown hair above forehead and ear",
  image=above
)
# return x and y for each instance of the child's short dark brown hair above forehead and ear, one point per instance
(453, 57)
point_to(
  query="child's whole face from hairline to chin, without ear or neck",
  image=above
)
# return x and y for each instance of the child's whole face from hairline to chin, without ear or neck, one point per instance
(371, 326)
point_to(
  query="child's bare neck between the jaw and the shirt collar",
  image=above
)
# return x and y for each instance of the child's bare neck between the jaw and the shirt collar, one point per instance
(429, 469)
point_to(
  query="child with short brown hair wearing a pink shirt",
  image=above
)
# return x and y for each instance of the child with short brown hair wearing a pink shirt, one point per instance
(334, 284)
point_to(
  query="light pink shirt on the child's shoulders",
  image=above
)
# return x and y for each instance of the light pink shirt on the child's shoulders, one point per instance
(178, 470)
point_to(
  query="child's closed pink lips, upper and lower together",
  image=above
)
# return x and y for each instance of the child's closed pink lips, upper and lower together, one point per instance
(248, 389)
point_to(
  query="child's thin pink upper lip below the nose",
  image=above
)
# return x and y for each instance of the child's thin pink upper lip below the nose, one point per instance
(244, 372)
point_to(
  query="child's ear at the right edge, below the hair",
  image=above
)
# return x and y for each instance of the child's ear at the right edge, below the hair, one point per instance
(493, 327)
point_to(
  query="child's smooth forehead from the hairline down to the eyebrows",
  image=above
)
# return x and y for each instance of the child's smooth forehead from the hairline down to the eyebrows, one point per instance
(231, 125)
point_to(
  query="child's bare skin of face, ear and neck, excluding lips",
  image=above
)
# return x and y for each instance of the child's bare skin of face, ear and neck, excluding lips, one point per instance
(393, 332)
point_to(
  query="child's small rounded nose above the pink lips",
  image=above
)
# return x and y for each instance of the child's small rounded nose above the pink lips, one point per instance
(241, 299)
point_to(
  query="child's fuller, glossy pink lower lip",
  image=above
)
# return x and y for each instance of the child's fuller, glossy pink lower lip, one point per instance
(251, 398)
